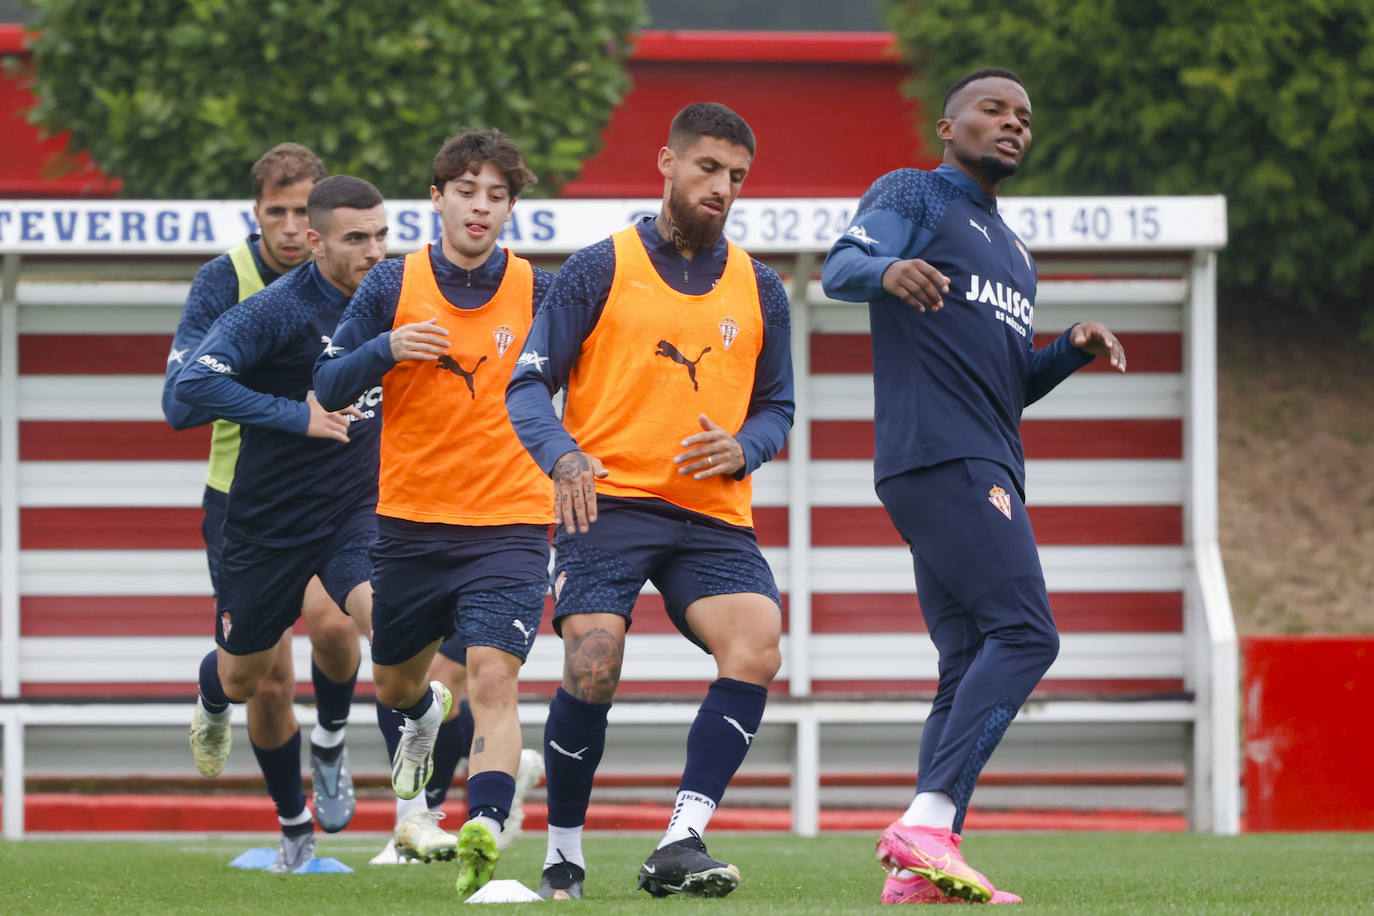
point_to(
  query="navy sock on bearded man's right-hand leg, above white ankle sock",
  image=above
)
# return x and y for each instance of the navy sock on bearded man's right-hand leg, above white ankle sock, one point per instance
(721, 735)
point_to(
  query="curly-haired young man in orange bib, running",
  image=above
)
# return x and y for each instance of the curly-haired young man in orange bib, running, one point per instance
(464, 512)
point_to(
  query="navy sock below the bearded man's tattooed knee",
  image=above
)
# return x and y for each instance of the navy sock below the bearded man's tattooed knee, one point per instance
(575, 738)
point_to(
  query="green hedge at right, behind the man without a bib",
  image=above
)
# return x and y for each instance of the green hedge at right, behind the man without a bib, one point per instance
(1269, 104)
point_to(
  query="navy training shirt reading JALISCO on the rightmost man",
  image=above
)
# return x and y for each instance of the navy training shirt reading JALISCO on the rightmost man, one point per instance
(951, 384)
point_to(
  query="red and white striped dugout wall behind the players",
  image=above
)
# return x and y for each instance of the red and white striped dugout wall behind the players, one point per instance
(104, 588)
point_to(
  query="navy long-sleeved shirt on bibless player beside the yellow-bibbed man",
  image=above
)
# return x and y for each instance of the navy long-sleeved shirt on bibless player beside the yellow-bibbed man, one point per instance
(255, 369)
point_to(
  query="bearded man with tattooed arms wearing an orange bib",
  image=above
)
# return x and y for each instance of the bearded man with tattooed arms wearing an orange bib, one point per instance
(674, 348)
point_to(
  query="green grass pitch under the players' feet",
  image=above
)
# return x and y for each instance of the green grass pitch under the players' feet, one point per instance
(833, 874)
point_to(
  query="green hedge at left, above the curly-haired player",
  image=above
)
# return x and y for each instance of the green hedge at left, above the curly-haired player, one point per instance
(179, 100)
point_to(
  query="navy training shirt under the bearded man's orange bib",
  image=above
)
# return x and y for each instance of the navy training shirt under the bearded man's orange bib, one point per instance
(572, 308)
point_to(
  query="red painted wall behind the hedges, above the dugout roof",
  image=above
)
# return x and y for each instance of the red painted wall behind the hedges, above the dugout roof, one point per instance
(826, 109)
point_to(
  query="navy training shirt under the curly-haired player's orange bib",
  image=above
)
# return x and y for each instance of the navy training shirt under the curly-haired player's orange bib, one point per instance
(362, 352)
